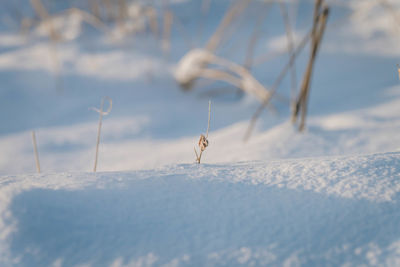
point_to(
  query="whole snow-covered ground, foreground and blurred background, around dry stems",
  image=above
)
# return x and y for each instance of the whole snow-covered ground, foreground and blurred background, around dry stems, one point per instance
(328, 196)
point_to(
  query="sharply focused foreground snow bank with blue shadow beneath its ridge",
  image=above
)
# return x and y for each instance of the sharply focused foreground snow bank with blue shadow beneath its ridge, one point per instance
(317, 211)
